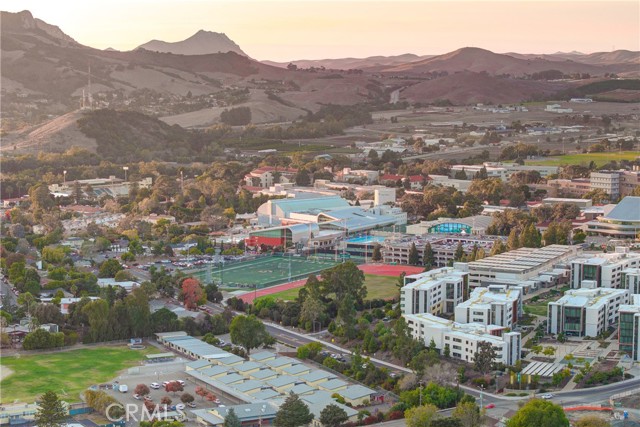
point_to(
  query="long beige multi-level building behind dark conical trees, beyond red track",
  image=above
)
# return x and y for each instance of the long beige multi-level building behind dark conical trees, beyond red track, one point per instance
(444, 247)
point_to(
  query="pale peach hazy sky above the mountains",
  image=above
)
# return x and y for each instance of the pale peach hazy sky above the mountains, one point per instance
(314, 29)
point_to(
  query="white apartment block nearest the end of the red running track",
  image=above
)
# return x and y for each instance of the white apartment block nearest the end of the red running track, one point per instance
(435, 292)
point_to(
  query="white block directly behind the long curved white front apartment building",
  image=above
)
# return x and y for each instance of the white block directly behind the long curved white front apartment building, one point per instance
(494, 305)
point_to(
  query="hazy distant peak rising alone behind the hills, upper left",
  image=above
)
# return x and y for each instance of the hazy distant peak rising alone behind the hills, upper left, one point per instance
(201, 43)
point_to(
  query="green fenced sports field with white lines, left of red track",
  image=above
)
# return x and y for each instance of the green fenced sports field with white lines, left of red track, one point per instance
(263, 272)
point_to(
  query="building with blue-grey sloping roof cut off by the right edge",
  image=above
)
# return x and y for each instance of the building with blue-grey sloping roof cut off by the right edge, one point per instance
(623, 220)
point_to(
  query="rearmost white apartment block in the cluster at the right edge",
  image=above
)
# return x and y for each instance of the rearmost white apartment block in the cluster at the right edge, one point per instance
(602, 270)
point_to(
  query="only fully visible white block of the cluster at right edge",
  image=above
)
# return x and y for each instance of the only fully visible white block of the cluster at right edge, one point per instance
(586, 312)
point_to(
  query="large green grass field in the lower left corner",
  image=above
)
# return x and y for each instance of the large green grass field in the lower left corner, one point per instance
(67, 373)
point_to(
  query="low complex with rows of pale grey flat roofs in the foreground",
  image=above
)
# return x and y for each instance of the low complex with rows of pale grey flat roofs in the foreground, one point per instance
(265, 379)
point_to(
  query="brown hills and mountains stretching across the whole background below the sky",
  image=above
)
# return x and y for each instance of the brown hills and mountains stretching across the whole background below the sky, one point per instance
(39, 59)
